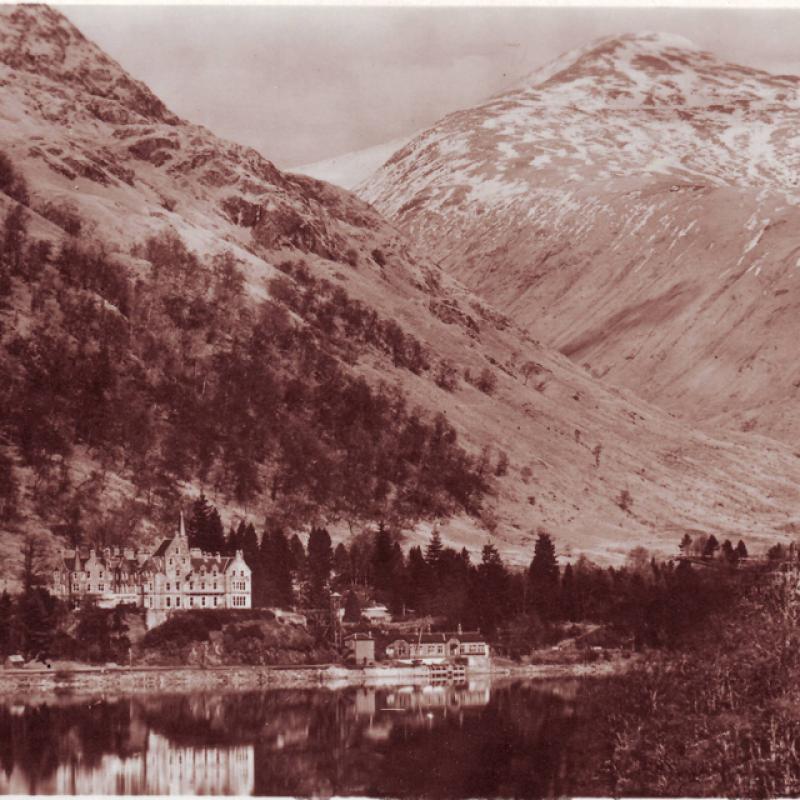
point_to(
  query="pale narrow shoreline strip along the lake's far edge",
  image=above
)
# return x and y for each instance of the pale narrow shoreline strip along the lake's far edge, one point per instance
(137, 680)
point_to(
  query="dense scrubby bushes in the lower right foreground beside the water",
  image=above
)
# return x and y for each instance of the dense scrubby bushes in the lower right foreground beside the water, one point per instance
(719, 715)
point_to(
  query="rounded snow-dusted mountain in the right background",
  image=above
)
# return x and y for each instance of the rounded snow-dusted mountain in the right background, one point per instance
(633, 205)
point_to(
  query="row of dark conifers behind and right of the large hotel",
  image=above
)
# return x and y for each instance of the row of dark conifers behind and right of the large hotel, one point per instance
(644, 602)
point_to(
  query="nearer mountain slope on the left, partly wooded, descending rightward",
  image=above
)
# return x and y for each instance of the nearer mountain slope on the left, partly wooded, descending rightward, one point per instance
(177, 315)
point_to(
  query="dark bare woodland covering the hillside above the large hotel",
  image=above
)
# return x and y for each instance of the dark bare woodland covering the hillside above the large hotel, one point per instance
(177, 376)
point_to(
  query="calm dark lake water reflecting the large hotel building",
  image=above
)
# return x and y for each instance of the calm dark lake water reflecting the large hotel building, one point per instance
(520, 740)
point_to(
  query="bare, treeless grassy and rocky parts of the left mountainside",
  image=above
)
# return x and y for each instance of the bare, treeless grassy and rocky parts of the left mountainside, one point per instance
(597, 466)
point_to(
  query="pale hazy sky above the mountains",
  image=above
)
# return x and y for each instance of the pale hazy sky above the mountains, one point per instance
(305, 83)
